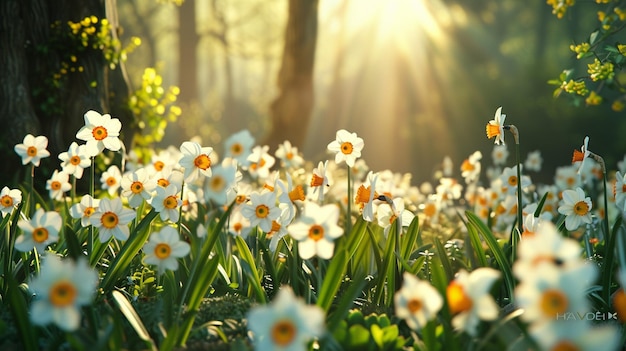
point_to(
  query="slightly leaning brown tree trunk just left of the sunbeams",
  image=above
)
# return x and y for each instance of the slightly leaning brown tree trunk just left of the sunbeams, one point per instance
(291, 111)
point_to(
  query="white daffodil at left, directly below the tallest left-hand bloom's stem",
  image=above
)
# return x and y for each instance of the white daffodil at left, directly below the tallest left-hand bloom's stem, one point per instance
(112, 219)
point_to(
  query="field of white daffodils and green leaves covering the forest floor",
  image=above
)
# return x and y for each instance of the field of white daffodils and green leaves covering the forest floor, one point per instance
(234, 247)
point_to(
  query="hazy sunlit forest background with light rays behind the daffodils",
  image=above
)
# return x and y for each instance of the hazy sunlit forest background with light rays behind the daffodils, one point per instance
(416, 79)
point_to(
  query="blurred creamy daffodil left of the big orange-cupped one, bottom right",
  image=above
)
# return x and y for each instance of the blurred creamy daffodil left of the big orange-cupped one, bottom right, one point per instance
(417, 301)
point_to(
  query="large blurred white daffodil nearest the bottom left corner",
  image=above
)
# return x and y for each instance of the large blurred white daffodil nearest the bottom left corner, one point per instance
(60, 289)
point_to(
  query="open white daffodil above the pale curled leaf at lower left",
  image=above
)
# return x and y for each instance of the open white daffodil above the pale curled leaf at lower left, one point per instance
(164, 248)
